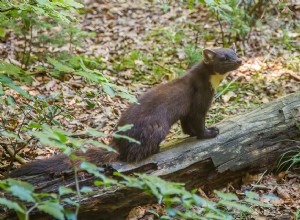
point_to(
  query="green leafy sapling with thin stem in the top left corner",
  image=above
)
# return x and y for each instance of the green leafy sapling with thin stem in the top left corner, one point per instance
(28, 15)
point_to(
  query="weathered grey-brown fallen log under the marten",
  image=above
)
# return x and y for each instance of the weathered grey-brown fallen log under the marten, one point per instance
(250, 142)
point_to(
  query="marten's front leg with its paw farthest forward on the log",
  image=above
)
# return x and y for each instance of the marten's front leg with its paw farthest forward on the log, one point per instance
(198, 125)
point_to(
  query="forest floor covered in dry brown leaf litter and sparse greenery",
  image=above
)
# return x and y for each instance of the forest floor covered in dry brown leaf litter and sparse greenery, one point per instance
(139, 45)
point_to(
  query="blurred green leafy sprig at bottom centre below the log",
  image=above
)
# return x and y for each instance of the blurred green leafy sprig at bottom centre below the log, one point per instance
(172, 194)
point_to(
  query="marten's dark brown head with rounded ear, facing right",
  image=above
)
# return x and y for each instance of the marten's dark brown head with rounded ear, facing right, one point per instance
(221, 60)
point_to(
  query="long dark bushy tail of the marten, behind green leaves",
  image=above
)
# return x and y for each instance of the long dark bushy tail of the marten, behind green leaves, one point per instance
(62, 162)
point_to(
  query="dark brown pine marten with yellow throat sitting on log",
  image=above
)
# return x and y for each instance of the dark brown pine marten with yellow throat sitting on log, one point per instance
(186, 99)
